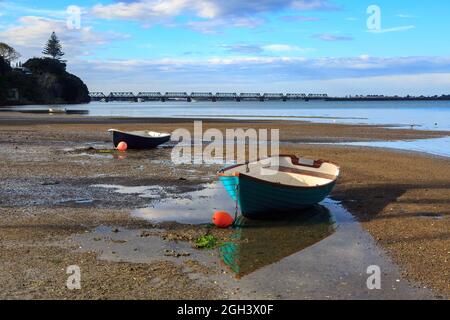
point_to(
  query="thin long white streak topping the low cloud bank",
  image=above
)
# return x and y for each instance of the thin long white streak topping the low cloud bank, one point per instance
(364, 65)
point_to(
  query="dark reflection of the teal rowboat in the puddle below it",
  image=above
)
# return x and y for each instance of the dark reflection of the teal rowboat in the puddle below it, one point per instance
(258, 243)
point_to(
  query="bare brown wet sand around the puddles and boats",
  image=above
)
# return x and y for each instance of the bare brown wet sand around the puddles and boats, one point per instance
(49, 166)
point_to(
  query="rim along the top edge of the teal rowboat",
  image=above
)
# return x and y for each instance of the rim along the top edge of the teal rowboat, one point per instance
(295, 161)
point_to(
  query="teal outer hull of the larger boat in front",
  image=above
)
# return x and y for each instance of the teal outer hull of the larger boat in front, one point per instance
(258, 199)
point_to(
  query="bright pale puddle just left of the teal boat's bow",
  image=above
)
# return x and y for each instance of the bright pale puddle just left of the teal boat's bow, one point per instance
(196, 207)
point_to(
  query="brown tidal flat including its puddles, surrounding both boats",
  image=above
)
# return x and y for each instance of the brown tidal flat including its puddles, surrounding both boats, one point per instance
(68, 199)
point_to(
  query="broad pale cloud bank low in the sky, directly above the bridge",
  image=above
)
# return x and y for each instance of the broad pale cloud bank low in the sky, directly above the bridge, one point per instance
(340, 76)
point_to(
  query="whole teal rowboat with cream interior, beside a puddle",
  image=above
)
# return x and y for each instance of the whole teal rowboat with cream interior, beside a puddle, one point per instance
(278, 185)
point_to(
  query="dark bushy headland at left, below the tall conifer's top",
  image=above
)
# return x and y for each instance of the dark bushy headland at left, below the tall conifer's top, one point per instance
(40, 81)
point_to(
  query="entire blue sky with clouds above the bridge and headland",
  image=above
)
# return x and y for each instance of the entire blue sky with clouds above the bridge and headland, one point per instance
(303, 46)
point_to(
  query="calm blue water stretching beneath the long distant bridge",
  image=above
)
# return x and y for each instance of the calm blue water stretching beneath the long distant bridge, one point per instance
(430, 115)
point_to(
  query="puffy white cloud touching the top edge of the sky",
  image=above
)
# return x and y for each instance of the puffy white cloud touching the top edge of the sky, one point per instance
(217, 13)
